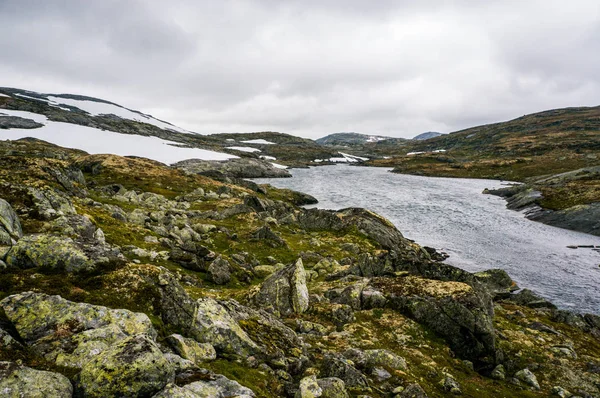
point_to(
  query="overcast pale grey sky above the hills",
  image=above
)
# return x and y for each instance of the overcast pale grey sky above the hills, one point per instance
(310, 67)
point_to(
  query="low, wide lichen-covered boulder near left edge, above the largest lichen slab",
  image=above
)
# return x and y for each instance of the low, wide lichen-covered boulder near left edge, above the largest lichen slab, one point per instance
(48, 252)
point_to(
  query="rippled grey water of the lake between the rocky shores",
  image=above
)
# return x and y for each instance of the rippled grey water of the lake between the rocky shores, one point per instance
(477, 230)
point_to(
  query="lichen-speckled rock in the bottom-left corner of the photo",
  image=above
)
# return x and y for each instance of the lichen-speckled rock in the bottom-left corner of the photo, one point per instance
(20, 381)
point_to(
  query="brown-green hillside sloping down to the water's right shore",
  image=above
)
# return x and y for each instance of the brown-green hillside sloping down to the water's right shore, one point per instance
(537, 149)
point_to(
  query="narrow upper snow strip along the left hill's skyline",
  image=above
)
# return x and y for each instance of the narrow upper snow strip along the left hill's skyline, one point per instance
(95, 108)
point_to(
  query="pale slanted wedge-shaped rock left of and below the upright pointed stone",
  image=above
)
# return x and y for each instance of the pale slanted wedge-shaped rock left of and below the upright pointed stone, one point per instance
(213, 324)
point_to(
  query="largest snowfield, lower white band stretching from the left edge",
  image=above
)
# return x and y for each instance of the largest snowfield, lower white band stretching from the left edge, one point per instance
(96, 141)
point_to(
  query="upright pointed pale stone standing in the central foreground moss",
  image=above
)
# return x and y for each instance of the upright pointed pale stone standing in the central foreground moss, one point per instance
(284, 292)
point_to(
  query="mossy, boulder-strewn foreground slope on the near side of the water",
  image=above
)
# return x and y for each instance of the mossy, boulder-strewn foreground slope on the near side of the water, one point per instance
(125, 277)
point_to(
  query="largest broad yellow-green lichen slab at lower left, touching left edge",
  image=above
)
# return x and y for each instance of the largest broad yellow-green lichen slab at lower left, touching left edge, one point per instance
(67, 333)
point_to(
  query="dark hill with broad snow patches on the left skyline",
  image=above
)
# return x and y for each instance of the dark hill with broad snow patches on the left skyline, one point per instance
(98, 126)
